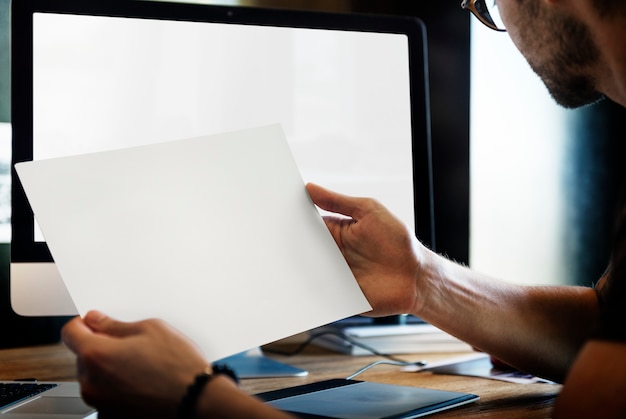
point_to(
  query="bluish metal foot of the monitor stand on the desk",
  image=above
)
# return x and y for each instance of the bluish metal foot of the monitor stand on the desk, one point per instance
(253, 364)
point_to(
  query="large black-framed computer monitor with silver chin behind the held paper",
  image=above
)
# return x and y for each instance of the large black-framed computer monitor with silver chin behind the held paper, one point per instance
(351, 92)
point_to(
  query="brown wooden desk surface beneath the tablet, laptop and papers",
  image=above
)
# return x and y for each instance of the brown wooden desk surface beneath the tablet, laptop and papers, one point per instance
(498, 399)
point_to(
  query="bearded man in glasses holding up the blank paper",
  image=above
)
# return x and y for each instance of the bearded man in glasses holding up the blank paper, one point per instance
(575, 335)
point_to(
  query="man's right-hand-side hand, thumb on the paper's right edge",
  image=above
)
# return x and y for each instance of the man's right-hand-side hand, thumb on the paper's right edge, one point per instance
(385, 257)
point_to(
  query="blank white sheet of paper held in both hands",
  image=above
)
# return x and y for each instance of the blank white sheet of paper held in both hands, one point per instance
(216, 235)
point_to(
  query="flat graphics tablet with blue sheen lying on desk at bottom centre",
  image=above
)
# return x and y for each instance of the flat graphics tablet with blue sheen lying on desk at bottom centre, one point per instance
(353, 399)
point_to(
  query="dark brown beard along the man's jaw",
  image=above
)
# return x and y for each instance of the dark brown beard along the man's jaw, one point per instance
(566, 72)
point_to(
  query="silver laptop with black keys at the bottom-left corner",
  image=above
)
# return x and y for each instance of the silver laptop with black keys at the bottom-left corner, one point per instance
(32, 399)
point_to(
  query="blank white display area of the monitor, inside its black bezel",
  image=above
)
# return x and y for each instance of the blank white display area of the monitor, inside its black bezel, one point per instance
(343, 98)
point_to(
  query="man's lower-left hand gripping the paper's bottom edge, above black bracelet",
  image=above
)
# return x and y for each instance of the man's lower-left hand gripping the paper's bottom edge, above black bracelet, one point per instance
(132, 369)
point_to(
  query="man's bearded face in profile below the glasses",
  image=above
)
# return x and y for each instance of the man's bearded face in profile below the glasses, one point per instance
(558, 48)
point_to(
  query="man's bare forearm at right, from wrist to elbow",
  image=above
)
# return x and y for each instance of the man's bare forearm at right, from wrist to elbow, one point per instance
(536, 329)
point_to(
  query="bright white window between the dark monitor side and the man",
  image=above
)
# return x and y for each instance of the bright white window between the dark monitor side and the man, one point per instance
(518, 148)
